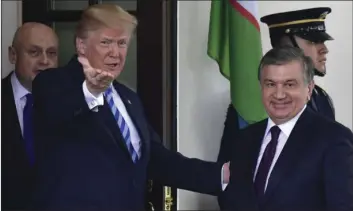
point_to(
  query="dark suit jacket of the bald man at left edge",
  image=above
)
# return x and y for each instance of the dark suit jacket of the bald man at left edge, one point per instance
(16, 172)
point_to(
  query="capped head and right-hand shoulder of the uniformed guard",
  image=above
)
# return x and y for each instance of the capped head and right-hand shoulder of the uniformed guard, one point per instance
(305, 29)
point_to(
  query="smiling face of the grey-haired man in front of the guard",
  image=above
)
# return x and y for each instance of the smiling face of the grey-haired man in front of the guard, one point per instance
(284, 90)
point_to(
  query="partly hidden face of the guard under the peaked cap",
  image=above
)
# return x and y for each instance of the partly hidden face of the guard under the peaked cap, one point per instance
(316, 51)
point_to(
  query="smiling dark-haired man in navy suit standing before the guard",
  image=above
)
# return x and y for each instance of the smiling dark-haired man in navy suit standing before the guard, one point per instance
(296, 159)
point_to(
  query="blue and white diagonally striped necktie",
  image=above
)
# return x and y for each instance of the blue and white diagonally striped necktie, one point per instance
(121, 123)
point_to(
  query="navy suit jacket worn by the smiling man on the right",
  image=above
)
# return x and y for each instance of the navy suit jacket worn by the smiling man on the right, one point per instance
(313, 173)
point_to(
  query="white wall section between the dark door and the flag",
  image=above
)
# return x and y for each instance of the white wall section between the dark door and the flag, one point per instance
(203, 96)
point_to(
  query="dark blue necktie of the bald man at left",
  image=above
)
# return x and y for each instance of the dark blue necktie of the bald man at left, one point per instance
(28, 128)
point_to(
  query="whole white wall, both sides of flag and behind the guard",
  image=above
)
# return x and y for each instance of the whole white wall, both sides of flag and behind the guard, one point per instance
(203, 94)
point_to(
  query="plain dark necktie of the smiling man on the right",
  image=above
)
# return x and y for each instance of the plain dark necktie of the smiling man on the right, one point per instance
(266, 162)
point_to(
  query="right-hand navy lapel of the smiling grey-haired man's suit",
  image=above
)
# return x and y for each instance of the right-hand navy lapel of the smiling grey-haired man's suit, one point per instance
(290, 153)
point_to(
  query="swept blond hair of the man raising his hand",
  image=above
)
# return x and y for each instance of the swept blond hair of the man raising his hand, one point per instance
(104, 15)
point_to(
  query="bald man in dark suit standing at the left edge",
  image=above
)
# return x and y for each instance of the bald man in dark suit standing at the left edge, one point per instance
(34, 48)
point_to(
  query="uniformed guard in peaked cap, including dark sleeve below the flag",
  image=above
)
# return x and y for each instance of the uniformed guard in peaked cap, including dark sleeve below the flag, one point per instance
(304, 29)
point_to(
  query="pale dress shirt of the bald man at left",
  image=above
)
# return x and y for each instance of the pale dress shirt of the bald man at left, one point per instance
(19, 93)
